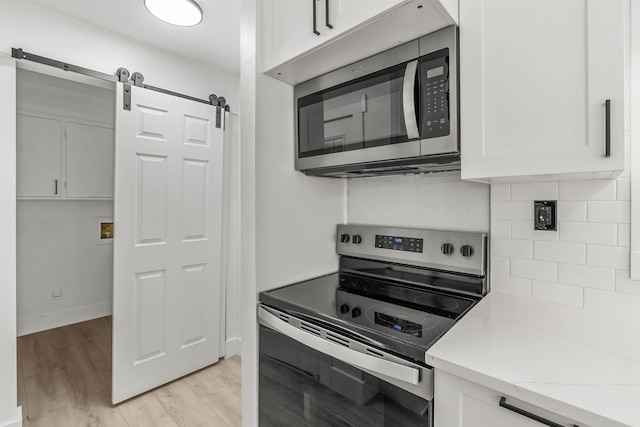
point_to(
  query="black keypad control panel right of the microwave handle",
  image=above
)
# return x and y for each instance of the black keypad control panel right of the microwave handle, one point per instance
(434, 84)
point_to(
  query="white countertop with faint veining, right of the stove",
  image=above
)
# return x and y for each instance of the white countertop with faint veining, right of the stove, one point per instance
(580, 363)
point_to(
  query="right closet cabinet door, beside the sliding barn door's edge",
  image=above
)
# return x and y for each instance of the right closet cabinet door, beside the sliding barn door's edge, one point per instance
(89, 161)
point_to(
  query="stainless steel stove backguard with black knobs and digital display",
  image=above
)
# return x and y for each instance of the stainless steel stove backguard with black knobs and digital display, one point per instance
(461, 251)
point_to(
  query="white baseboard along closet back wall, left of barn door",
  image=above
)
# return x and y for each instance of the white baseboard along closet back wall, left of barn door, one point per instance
(62, 318)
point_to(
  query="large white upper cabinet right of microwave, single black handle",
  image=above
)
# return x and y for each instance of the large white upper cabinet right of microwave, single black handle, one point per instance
(535, 77)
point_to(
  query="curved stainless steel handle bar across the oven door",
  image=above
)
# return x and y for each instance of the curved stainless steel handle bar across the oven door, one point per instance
(344, 354)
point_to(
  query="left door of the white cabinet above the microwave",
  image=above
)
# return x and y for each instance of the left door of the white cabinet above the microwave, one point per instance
(288, 29)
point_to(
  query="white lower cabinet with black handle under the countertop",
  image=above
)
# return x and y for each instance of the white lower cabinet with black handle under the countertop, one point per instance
(461, 403)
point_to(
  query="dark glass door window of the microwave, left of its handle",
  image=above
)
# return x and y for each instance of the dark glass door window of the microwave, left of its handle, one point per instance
(363, 113)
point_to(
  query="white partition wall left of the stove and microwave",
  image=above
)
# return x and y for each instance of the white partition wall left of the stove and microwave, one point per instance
(288, 219)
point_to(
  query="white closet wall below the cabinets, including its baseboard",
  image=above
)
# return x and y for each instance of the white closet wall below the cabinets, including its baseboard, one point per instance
(57, 248)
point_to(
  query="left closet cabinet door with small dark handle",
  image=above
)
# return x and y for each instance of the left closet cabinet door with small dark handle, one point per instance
(38, 157)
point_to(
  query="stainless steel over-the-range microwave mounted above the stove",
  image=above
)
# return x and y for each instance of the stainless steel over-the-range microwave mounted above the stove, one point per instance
(392, 113)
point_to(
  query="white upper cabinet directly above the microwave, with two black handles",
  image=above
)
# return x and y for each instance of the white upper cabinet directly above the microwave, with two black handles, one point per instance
(302, 39)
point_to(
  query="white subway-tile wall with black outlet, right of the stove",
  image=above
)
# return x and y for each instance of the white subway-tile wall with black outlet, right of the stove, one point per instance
(586, 262)
